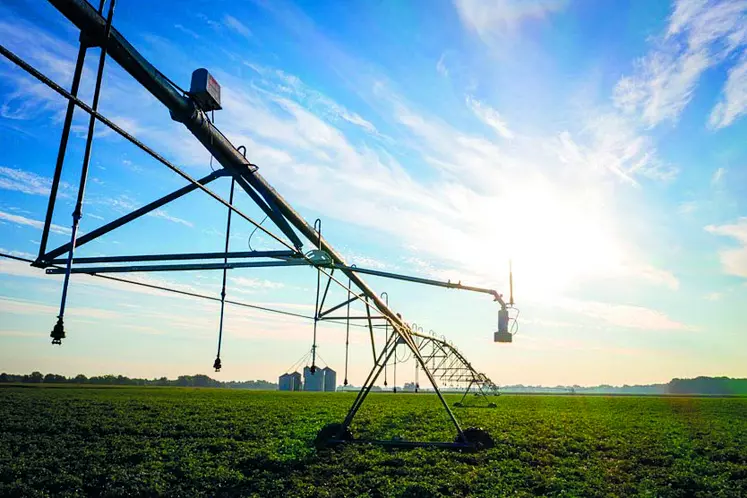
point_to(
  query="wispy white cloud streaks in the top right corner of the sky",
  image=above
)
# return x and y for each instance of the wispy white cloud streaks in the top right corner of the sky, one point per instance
(700, 35)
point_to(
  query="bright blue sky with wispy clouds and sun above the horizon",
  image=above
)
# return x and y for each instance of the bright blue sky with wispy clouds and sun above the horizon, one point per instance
(600, 146)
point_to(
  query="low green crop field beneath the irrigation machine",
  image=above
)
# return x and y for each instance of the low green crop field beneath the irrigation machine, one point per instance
(218, 442)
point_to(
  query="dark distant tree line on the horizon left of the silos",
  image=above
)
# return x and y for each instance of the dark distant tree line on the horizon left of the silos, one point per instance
(120, 380)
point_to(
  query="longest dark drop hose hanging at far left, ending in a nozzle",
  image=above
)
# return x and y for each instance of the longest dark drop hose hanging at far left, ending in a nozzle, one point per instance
(58, 332)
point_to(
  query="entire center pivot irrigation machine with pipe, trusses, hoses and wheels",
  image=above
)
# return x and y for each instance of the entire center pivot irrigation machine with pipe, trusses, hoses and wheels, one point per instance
(437, 358)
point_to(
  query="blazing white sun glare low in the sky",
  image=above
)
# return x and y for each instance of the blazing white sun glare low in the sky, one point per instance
(556, 239)
